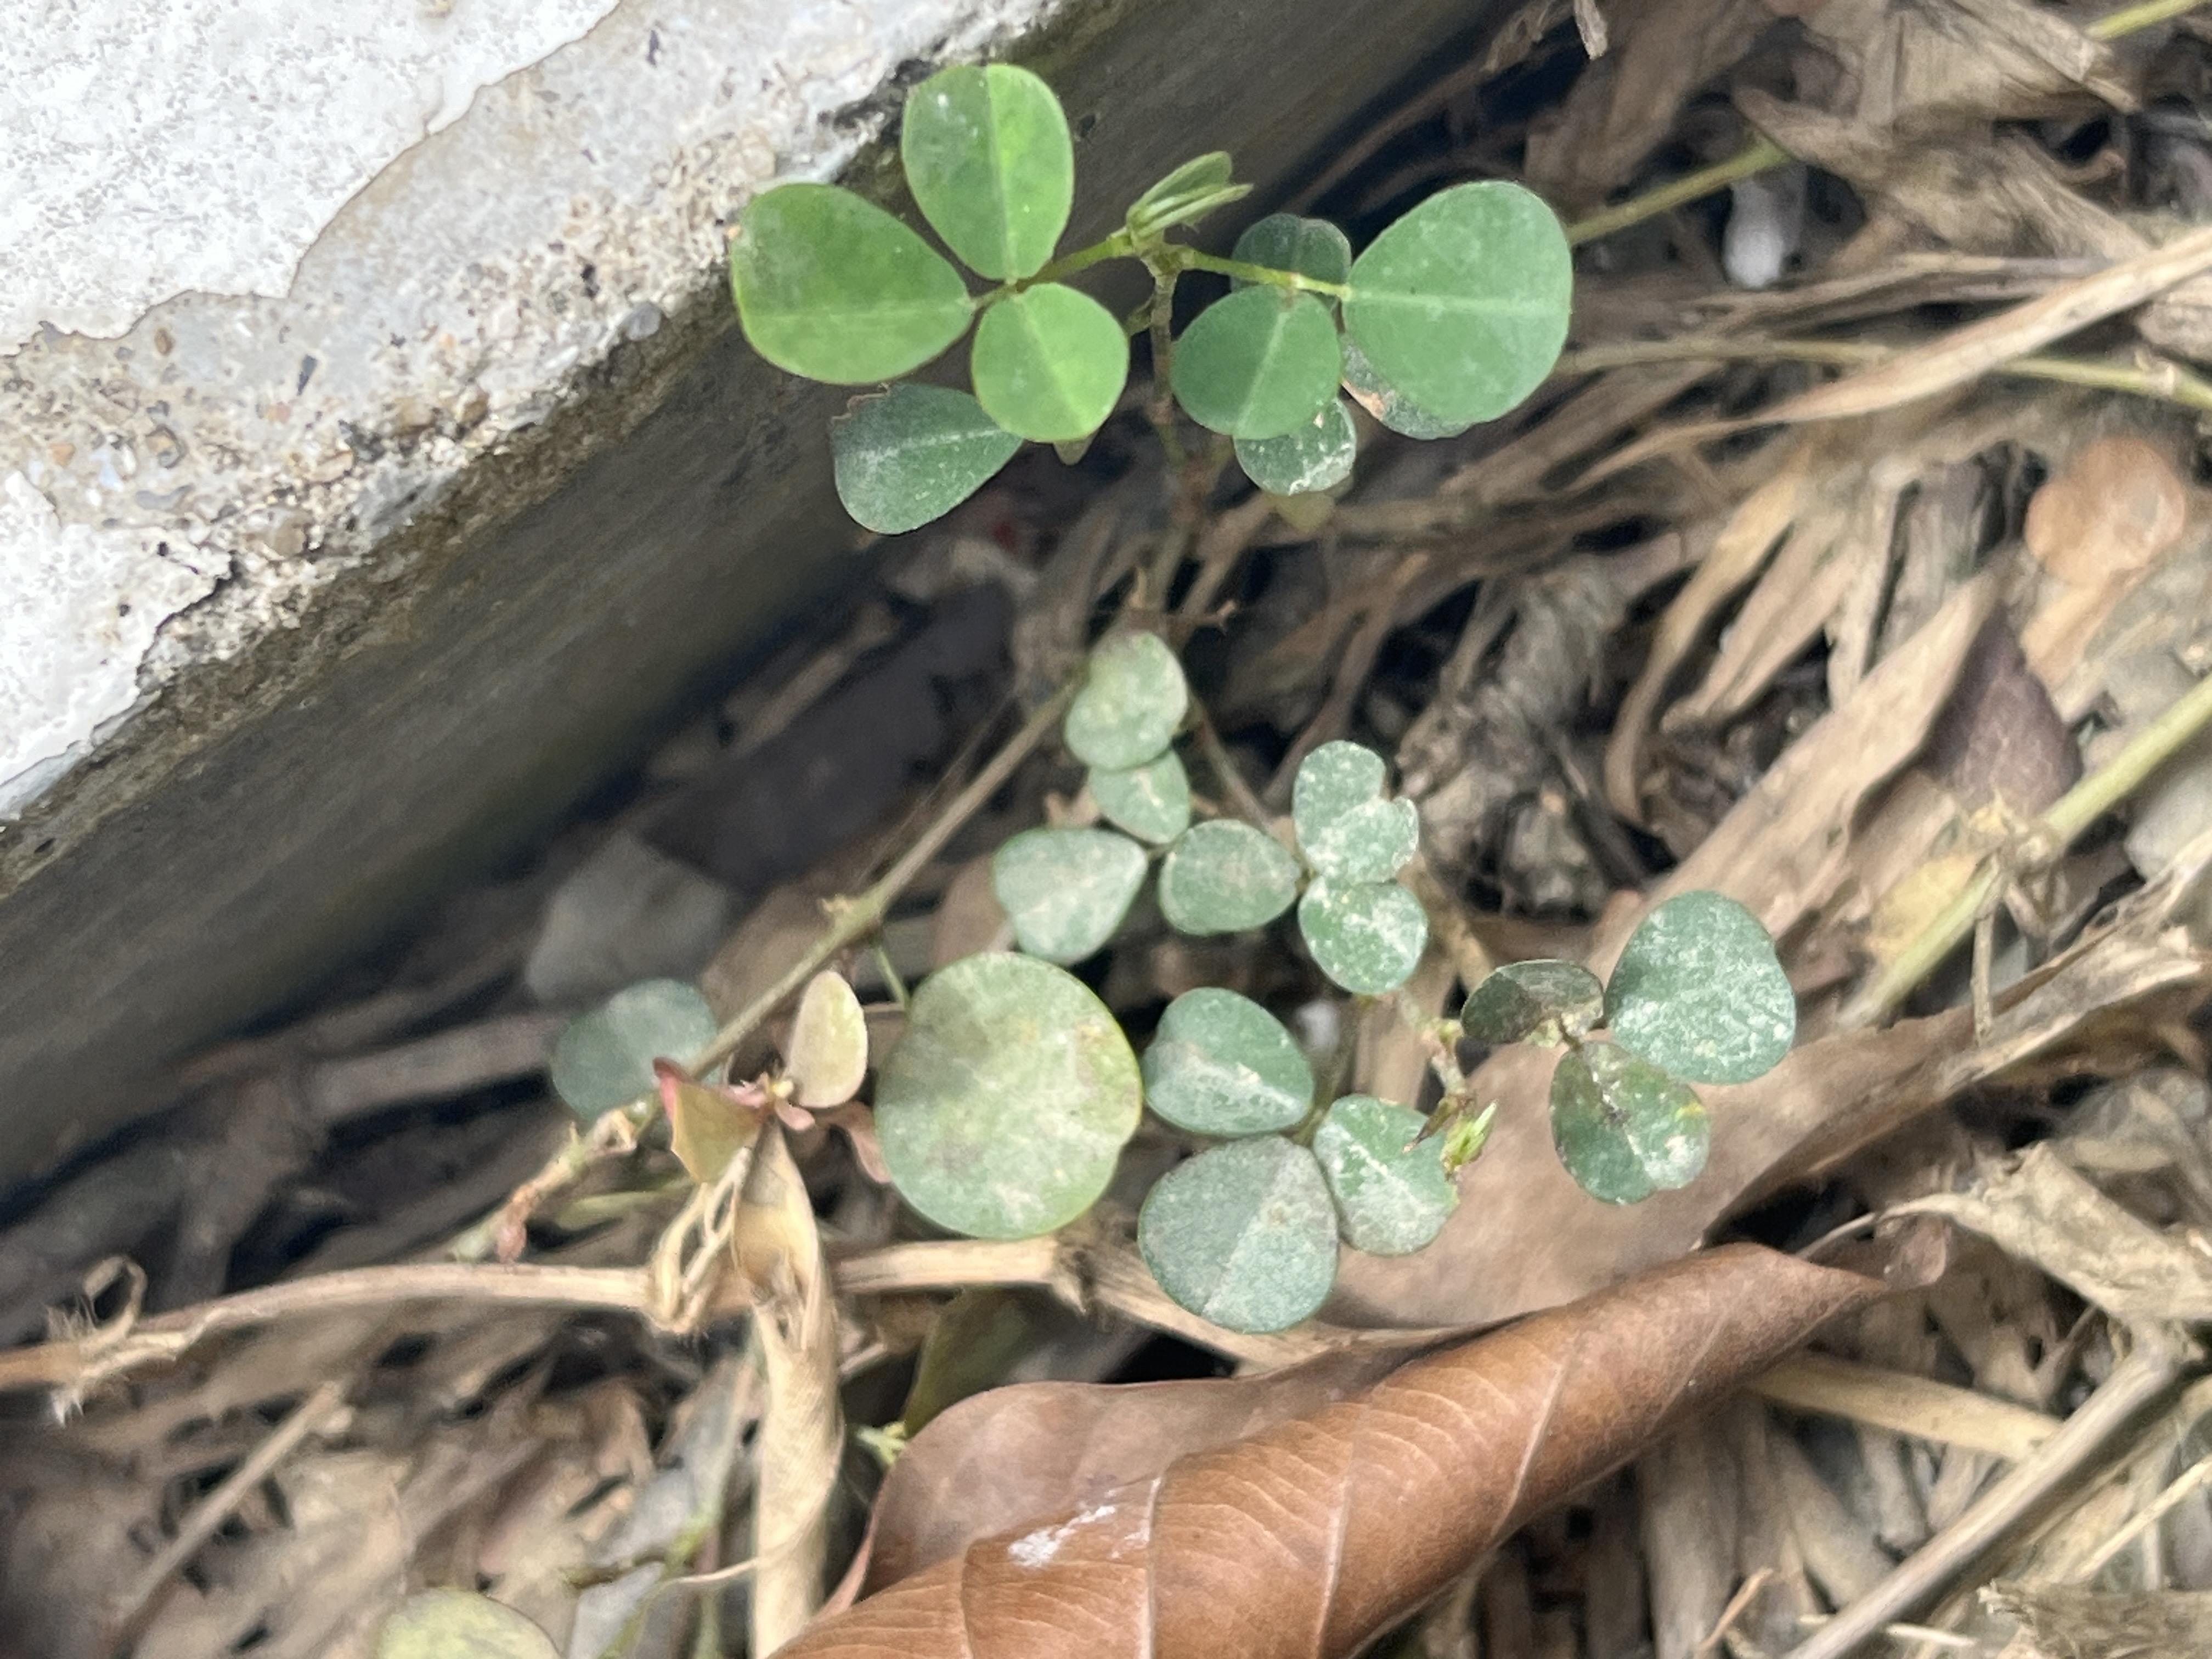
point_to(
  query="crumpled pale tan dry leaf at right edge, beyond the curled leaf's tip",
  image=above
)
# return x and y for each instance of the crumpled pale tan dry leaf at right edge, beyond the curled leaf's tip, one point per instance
(2047, 1213)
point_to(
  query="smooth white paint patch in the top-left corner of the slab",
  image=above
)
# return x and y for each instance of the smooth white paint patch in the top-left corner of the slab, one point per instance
(160, 149)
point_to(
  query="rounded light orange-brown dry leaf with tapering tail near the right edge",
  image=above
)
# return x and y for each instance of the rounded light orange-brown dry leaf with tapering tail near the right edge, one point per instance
(2098, 528)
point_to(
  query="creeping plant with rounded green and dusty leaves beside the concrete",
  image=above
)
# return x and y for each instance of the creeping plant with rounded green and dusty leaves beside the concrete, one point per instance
(1005, 1107)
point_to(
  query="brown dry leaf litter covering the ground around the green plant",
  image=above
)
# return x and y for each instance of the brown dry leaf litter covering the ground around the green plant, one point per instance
(1861, 532)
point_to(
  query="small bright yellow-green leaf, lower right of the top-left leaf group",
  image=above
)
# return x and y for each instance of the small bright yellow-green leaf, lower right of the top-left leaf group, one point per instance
(1050, 364)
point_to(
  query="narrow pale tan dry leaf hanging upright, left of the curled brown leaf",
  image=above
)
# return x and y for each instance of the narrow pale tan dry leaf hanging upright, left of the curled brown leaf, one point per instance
(802, 1437)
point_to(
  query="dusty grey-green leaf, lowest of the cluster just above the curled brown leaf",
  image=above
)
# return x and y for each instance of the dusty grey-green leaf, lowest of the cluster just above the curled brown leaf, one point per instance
(1242, 1235)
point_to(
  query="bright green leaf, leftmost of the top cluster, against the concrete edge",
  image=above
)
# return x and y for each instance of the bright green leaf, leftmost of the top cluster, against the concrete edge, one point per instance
(839, 291)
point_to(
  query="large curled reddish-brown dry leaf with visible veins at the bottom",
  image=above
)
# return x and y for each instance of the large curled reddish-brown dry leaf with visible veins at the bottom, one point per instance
(1311, 1538)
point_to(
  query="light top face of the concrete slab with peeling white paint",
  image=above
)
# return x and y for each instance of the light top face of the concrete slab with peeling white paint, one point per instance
(278, 271)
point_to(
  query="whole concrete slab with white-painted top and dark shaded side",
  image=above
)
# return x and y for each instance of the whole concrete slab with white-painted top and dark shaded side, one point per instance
(377, 457)
